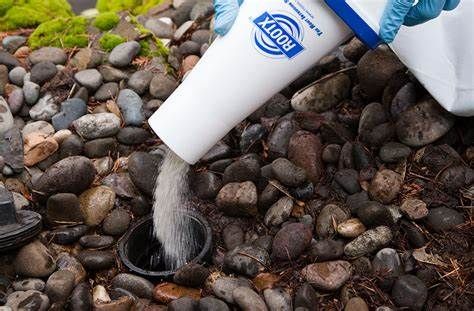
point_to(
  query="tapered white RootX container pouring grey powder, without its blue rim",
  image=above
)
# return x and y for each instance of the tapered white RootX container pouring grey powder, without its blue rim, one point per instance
(271, 43)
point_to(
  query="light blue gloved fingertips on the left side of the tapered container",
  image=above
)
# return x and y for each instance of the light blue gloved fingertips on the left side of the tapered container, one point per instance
(226, 13)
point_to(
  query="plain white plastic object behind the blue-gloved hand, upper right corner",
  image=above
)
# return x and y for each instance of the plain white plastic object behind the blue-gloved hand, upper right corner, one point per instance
(440, 53)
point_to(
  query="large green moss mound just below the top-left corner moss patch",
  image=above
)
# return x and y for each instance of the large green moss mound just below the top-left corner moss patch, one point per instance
(61, 32)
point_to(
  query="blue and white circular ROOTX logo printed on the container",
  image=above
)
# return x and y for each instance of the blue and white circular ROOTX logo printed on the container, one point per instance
(278, 35)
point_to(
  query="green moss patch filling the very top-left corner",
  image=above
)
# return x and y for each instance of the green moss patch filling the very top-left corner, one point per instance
(31, 13)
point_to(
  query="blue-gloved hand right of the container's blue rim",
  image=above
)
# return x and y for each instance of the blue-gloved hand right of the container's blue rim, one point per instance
(403, 12)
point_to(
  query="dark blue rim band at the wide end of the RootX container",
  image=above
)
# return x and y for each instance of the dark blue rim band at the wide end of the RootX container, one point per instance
(360, 28)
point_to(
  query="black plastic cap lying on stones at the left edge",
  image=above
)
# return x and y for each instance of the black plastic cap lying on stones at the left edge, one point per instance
(16, 227)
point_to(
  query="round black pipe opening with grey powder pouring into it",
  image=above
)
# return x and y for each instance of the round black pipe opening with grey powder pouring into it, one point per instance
(140, 251)
